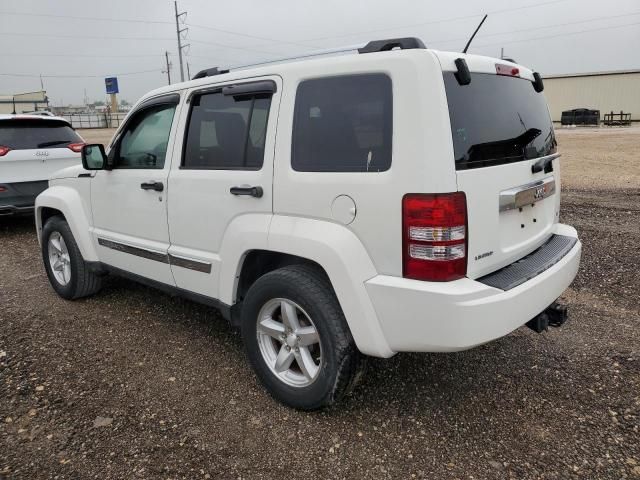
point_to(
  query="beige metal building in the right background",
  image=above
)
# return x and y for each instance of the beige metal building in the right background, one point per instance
(604, 91)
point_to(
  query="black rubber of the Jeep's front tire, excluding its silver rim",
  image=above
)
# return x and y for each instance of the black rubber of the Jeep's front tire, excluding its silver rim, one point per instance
(83, 281)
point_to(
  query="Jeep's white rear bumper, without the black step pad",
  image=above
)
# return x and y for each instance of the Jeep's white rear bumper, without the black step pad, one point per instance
(438, 317)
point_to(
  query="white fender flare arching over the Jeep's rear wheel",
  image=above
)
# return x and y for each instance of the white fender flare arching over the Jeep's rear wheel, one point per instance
(339, 251)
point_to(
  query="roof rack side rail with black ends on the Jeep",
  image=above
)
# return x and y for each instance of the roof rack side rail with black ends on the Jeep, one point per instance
(406, 43)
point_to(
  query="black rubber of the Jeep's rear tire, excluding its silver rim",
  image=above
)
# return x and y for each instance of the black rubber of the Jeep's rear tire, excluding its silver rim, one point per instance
(342, 365)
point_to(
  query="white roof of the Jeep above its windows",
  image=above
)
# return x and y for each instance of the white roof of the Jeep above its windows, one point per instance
(477, 63)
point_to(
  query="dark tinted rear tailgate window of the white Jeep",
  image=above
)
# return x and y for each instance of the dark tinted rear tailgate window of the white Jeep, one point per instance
(497, 119)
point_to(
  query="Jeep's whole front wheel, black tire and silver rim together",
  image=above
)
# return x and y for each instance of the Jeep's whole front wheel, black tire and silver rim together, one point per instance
(68, 273)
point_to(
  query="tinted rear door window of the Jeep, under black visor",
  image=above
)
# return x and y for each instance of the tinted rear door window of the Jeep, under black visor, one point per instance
(226, 132)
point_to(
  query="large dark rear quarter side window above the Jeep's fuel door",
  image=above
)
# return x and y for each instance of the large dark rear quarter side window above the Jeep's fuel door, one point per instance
(343, 124)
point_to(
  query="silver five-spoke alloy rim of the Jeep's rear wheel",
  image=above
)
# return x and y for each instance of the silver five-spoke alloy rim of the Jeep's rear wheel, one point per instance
(289, 342)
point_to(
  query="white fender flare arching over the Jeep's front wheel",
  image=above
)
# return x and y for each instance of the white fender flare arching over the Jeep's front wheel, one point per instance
(77, 214)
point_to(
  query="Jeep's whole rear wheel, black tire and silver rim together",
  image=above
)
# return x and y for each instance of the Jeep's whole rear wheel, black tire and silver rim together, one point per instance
(297, 339)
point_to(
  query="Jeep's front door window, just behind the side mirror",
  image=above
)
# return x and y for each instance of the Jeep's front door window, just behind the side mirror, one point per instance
(143, 144)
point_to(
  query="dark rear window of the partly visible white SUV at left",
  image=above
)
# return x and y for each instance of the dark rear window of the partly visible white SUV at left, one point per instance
(33, 134)
